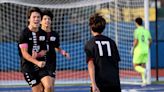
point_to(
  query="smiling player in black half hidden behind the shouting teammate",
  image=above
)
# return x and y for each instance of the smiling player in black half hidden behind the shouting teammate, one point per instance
(53, 44)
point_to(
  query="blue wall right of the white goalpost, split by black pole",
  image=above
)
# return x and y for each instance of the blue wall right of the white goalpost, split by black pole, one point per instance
(160, 44)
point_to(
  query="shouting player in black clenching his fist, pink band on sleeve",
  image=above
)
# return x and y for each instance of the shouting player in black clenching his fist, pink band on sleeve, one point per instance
(33, 51)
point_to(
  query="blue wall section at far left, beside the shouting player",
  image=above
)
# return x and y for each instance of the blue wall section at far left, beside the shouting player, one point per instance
(9, 59)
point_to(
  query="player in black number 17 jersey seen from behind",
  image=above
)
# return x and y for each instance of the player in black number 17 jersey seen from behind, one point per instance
(102, 58)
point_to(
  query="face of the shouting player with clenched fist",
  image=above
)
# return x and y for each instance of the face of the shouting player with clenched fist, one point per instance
(35, 19)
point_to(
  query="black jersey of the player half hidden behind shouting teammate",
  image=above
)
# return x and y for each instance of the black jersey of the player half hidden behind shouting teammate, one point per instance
(52, 43)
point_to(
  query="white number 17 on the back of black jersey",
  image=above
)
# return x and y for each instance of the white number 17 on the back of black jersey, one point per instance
(100, 44)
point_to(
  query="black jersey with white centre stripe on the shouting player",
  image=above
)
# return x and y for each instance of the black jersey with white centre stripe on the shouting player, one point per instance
(36, 42)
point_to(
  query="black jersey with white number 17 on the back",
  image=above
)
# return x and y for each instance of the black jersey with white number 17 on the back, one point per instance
(104, 53)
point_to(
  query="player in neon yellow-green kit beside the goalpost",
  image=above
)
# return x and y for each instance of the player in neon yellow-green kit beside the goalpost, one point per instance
(141, 44)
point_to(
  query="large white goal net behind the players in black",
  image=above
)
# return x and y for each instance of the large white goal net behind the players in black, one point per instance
(71, 19)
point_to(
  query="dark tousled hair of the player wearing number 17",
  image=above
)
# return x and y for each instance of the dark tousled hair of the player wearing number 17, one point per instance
(97, 23)
